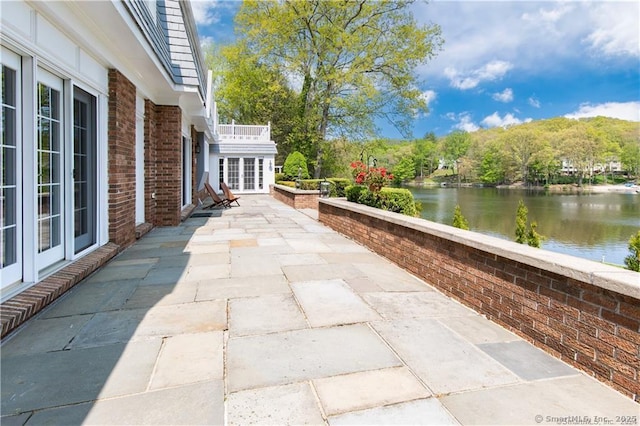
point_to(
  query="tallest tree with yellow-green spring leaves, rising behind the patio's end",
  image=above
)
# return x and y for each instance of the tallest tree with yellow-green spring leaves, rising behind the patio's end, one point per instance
(353, 61)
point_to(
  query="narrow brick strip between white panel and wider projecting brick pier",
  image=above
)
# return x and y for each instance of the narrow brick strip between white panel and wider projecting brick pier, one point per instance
(150, 159)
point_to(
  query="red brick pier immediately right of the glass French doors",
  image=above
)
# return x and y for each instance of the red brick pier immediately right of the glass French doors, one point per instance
(121, 159)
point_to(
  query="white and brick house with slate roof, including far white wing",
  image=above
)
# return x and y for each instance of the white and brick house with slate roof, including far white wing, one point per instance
(108, 129)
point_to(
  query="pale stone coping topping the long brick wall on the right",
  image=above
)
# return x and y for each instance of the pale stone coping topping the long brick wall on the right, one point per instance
(598, 274)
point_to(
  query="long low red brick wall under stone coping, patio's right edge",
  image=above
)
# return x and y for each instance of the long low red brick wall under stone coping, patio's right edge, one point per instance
(591, 328)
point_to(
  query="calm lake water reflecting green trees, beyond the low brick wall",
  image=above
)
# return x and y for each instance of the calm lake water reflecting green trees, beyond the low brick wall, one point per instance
(594, 226)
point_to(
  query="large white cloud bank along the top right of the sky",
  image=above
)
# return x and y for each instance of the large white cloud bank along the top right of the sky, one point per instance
(536, 37)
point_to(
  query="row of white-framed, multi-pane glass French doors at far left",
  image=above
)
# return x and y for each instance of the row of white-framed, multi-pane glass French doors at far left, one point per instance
(48, 197)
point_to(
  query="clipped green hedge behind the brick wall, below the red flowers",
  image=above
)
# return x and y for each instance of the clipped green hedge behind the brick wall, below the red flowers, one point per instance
(399, 200)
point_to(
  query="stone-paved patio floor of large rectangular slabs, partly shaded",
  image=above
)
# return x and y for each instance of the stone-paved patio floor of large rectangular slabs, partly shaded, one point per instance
(261, 315)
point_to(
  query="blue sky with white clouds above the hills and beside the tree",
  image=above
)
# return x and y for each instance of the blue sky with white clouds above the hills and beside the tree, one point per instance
(509, 62)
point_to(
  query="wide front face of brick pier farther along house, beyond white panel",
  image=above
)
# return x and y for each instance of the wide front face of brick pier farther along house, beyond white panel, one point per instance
(168, 177)
